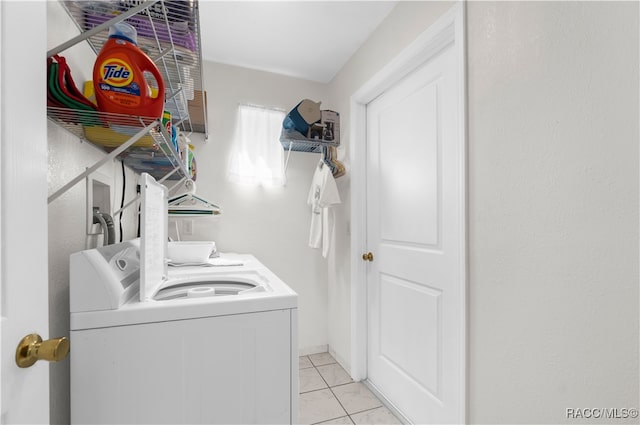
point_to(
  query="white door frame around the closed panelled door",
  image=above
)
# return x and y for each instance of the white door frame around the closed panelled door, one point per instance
(449, 28)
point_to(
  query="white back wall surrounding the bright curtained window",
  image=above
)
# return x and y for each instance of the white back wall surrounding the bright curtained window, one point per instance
(272, 224)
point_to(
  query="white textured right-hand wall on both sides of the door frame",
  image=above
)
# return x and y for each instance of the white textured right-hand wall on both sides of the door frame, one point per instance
(553, 203)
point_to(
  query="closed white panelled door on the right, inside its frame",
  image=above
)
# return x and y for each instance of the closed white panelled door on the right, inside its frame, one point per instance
(415, 230)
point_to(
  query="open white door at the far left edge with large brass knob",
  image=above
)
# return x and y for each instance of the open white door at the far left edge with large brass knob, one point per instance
(24, 396)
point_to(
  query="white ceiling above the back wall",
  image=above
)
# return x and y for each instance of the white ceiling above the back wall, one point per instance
(304, 39)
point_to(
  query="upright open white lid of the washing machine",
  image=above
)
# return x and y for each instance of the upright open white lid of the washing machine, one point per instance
(153, 236)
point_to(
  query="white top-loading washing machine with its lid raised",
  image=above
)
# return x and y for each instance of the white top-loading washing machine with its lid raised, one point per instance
(184, 345)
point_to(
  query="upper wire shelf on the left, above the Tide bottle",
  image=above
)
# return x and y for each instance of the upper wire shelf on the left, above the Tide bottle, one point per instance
(168, 32)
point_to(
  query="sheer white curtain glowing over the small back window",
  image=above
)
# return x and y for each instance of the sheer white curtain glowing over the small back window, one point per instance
(257, 156)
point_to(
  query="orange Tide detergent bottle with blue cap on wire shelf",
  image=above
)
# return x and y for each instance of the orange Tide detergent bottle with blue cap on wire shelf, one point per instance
(119, 76)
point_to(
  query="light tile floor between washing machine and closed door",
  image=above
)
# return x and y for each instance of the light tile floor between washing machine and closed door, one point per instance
(328, 395)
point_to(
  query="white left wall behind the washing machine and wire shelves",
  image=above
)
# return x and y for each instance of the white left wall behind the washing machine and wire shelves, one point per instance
(67, 158)
